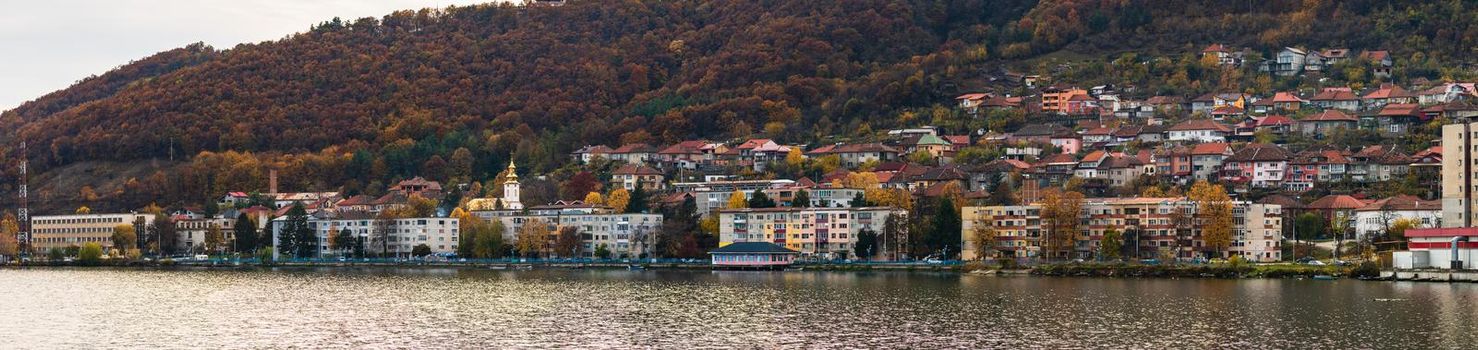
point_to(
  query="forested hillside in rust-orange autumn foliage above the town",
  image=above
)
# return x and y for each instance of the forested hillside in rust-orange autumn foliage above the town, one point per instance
(375, 100)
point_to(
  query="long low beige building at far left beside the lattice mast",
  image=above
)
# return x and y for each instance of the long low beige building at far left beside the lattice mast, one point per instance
(67, 231)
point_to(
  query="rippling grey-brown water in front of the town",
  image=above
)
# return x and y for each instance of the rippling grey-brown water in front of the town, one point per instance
(661, 309)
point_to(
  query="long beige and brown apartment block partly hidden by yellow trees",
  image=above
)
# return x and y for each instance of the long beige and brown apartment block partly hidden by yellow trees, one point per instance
(1149, 227)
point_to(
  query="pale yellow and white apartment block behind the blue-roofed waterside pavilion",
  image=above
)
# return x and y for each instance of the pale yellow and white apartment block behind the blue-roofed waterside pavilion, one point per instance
(824, 233)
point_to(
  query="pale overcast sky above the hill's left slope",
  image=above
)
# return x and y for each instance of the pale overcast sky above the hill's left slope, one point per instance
(47, 47)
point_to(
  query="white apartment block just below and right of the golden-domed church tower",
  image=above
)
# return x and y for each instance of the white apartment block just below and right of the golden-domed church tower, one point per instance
(623, 234)
